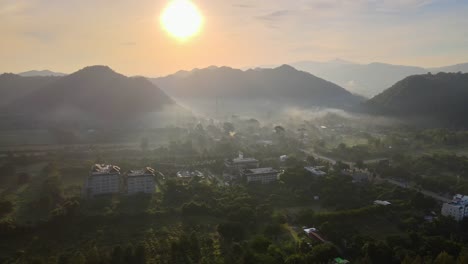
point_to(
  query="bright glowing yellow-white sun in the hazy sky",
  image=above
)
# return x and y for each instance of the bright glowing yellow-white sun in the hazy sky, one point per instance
(181, 19)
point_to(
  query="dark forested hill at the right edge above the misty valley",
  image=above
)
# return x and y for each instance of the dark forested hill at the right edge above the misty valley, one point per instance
(441, 97)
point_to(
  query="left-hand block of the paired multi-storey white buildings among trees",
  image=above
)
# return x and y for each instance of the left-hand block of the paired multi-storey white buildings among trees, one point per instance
(103, 179)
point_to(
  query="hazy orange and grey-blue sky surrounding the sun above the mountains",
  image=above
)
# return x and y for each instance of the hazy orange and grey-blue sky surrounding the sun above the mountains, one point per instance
(66, 35)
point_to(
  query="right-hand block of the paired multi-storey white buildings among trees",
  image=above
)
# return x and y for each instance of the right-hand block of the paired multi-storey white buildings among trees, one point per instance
(141, 181)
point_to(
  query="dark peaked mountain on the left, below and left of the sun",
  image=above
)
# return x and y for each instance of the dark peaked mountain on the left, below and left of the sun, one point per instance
(94, 93)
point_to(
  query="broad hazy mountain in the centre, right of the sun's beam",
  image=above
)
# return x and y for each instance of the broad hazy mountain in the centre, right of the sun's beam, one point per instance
(273, 88)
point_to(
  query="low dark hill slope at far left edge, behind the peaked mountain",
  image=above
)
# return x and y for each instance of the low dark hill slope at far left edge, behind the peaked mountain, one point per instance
(13, 86)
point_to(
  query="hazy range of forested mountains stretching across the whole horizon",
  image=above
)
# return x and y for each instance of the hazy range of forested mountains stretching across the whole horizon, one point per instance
(98, 95)
